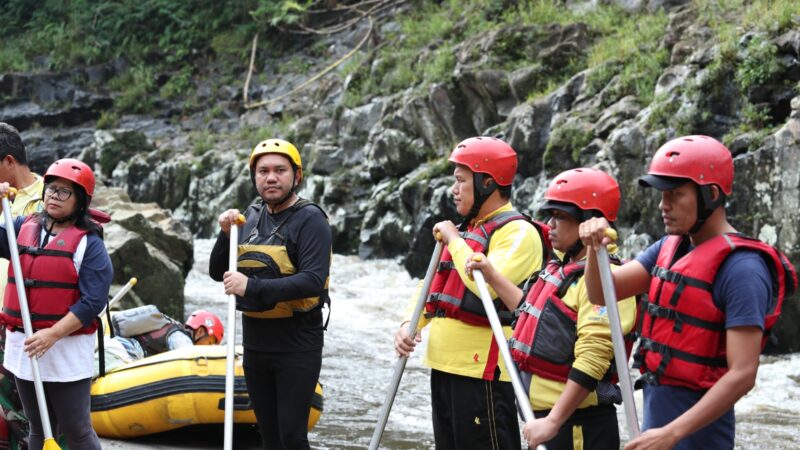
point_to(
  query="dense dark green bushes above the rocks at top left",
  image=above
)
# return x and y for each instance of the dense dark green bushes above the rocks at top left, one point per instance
(154, 36)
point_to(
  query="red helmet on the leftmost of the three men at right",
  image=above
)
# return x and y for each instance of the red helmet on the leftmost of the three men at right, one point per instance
(487, 155)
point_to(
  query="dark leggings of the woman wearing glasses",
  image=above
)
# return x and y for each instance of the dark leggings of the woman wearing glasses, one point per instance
(68, 408)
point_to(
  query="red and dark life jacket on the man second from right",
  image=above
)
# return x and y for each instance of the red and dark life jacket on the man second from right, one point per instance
(545, 334)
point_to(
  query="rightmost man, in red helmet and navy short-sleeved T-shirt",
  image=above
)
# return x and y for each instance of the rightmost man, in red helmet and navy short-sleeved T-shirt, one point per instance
(713, 296)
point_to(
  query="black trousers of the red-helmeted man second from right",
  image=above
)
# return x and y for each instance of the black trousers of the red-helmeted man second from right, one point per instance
(592, 428)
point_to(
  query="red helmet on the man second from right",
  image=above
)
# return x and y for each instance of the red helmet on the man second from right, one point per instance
(585, 189)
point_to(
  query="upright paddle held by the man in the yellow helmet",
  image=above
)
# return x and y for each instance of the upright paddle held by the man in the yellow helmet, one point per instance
(231, 332)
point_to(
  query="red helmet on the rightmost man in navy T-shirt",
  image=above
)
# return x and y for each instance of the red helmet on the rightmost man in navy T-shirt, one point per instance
(701, 159)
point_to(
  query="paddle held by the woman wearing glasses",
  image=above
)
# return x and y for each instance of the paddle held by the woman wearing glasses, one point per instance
(49, 442)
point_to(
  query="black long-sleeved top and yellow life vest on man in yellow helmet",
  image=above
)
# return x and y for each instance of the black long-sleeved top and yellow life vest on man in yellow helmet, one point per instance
(286, 257)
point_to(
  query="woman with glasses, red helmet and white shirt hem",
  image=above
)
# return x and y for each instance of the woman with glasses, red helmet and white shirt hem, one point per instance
(67, 275)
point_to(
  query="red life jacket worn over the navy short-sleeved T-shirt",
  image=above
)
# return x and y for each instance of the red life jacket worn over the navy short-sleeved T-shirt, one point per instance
(683, 331)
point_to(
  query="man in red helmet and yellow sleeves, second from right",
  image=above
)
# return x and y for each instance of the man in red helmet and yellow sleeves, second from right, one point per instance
(561, 341)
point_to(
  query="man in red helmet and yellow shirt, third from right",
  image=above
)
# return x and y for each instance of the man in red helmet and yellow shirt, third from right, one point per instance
(472, 397)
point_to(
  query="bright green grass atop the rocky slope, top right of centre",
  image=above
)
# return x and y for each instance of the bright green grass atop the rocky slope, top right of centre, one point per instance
(421, 52)
